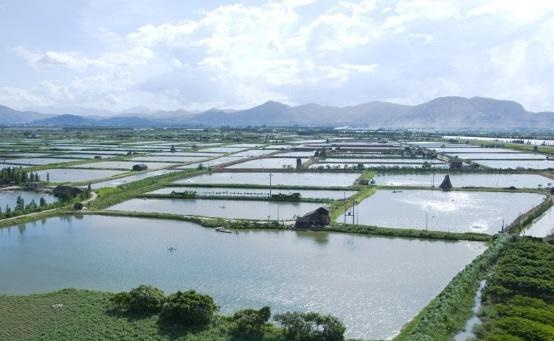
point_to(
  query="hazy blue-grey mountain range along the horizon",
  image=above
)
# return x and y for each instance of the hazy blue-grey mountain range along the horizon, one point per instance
(440, 113)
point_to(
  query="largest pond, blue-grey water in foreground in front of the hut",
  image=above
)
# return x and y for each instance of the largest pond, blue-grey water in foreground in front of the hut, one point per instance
(382, 283)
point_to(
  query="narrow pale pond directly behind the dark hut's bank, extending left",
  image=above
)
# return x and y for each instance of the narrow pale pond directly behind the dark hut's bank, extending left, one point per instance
(229, 209)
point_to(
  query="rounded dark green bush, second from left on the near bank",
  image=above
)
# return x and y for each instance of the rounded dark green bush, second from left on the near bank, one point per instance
(189, 308)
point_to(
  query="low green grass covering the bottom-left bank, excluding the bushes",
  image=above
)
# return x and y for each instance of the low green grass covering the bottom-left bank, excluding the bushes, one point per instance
(88, 315)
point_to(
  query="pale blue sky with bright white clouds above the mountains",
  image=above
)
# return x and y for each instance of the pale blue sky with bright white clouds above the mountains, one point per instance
(128, 55)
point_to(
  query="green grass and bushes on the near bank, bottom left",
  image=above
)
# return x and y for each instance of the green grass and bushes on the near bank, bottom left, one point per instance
(146, 313)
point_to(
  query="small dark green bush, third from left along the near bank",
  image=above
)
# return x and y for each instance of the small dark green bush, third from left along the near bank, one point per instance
(248, 325)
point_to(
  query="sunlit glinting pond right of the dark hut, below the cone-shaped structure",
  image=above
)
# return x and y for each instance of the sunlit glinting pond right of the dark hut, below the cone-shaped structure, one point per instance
(454, 211)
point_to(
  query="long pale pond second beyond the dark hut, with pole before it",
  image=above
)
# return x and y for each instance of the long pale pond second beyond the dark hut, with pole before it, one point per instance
(277, 179)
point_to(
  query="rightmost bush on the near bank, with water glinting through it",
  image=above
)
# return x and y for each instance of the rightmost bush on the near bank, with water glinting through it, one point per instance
(311, 327)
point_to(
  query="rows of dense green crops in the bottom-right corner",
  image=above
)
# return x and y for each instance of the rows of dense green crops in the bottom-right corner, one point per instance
(519, 297)
